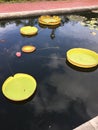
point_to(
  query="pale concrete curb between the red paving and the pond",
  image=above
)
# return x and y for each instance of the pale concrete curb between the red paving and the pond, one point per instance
(23, 14)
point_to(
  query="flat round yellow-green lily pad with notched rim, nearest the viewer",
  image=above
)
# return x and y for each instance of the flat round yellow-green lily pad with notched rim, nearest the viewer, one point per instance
(19, 87)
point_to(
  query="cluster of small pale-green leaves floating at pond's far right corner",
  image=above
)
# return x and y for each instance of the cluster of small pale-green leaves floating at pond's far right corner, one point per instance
(92, 23)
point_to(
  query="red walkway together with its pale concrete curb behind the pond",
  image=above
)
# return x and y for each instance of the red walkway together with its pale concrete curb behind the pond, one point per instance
(42, 7)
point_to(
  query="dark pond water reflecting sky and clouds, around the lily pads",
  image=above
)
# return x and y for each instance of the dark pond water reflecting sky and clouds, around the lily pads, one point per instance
(66, 96)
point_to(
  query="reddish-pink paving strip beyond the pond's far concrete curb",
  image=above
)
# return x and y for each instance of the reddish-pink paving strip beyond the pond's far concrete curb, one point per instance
(46, 5)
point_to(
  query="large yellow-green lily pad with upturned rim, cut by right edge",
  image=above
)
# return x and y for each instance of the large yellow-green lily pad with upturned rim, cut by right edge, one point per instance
(81, 57)
